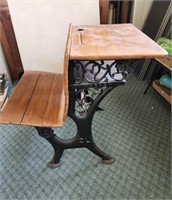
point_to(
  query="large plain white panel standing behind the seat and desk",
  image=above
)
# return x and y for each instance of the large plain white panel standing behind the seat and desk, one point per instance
(41, 28)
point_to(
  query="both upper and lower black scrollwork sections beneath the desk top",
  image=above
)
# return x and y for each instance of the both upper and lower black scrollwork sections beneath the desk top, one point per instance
(98, 75)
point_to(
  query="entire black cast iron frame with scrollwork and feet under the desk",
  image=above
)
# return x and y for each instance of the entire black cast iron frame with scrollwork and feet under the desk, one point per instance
(84, 97)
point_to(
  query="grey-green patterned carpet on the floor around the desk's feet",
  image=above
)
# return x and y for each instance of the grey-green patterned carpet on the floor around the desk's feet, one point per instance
(134, 129)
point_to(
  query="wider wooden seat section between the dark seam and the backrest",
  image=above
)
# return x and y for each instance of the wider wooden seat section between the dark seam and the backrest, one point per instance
(46, 107)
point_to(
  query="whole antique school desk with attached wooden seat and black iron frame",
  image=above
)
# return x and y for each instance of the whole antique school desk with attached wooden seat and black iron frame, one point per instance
(97, 59)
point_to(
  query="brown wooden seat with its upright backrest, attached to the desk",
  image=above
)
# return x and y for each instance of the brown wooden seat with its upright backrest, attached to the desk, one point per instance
(40, 98)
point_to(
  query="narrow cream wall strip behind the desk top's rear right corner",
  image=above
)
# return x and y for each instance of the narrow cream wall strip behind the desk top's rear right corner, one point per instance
(140, 12)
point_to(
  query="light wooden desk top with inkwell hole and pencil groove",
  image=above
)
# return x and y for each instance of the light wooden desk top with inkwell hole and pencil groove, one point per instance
(110, 42)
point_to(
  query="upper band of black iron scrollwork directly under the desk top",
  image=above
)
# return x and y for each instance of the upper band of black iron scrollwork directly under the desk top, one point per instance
(101, 71)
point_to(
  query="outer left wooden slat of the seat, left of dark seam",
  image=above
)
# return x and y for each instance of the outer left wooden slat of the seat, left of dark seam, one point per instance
(16, 106)
